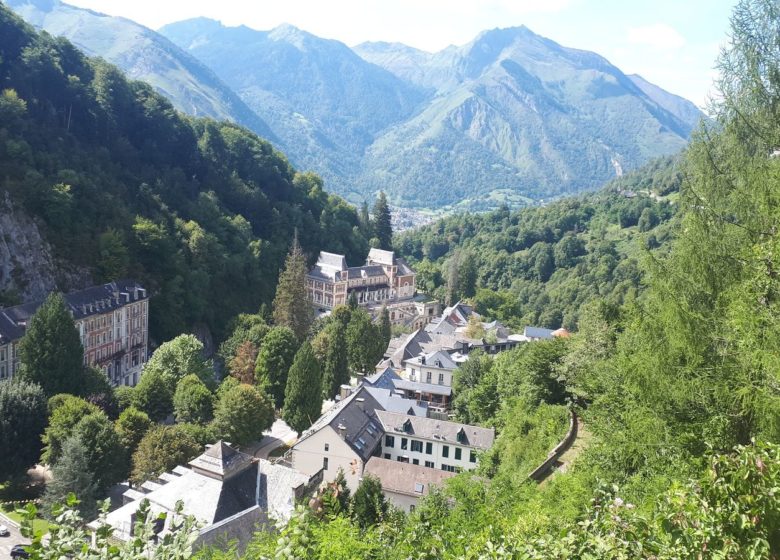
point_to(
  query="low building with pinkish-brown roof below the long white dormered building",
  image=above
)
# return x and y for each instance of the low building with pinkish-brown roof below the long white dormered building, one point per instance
(403, 484)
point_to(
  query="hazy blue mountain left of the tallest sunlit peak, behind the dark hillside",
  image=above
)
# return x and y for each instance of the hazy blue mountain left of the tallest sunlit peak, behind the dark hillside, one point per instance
(324, 101)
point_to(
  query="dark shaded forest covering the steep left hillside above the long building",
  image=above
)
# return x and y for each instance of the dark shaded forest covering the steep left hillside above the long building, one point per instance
(201, 212)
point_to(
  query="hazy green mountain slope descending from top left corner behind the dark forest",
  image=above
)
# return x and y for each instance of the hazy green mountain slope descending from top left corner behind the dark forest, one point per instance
(144, 55)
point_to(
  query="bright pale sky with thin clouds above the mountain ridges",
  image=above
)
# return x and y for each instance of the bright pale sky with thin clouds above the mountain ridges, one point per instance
(672, 43)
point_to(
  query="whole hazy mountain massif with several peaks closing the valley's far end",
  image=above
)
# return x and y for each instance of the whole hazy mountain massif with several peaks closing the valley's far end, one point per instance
(507, 117)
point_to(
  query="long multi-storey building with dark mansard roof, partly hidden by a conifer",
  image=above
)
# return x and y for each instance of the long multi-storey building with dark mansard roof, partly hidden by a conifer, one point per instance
(113, 323)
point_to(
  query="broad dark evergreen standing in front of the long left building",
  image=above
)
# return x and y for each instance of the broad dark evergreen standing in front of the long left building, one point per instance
(51, 351)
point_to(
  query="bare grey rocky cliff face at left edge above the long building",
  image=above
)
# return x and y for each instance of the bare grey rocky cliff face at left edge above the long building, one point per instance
(29, 269)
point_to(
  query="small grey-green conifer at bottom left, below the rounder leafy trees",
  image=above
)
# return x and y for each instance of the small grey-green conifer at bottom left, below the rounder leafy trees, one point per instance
(72, 474)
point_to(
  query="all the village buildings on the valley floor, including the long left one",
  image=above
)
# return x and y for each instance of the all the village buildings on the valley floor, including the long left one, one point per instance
(393, 422)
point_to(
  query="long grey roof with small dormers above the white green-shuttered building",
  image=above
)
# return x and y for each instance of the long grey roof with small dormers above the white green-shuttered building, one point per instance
(440, 430)
